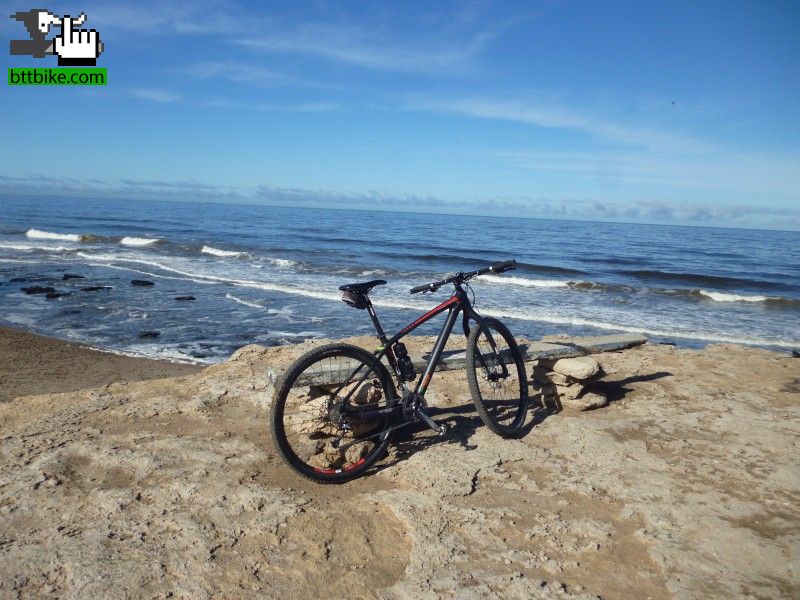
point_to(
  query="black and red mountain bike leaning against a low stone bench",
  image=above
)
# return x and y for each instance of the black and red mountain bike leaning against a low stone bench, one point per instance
(335, 408)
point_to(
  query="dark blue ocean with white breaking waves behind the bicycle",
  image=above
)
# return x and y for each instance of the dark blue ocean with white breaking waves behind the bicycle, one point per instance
(270, 275)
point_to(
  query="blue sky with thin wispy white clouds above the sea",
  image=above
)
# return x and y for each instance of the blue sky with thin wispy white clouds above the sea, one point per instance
(674, 112)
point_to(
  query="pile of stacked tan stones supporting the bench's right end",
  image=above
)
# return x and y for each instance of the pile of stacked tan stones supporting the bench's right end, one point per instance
(565, 381)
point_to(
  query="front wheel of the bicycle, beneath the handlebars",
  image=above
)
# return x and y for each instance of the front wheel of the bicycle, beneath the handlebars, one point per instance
(496, 377)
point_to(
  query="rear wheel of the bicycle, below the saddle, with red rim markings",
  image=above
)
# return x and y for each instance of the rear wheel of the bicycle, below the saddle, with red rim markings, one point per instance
(313, 414)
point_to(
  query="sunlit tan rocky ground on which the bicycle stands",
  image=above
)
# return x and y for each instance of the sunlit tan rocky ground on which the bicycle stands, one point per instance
(685, 485)
